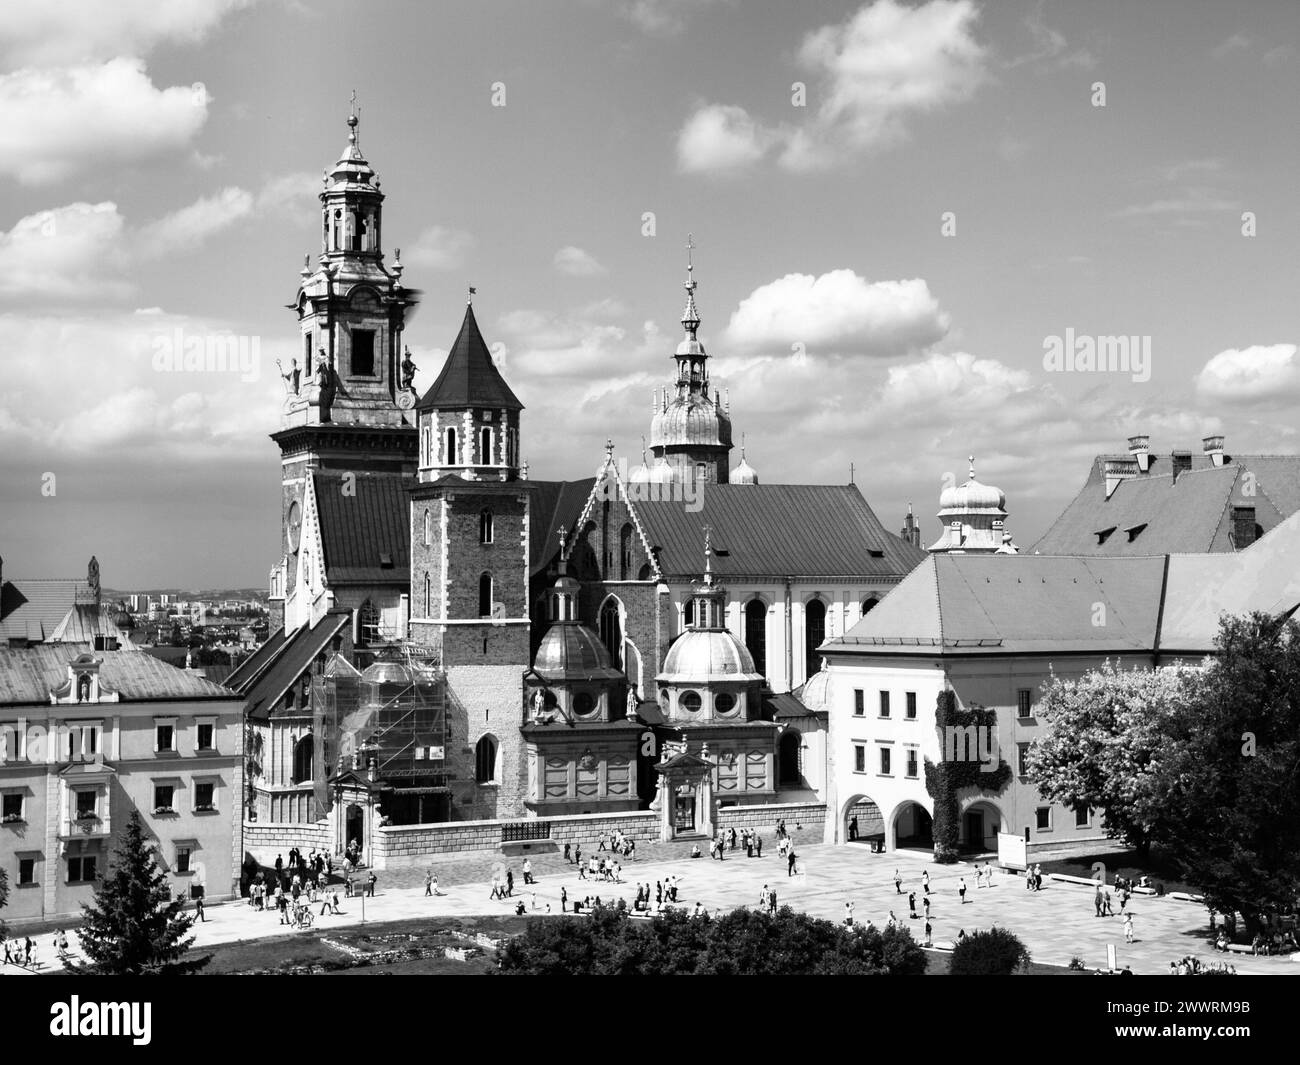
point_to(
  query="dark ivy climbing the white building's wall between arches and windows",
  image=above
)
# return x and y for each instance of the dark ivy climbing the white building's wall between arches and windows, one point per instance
(944, 781)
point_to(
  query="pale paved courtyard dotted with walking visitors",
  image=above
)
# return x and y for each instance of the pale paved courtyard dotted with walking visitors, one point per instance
(1056, 924)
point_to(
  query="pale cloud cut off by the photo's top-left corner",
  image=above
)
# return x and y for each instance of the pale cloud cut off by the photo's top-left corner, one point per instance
(80, 31)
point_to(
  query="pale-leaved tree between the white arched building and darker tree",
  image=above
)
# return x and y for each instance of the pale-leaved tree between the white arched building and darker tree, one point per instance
(1102, 751)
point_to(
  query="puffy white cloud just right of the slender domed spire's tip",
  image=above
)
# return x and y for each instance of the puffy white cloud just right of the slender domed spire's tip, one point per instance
(839, 313)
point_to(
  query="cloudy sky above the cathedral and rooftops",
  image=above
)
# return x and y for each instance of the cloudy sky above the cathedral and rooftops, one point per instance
(896, 210)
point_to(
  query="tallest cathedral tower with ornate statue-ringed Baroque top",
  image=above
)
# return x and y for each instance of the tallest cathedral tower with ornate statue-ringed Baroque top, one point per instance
(349, 408)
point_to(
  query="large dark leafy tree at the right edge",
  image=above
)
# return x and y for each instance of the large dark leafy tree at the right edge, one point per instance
(1230, 772)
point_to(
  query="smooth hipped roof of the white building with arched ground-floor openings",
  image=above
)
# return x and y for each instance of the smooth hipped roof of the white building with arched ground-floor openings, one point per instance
(1004, 604)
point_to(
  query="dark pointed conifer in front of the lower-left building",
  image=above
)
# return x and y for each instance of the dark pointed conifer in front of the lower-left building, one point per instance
(135, 927)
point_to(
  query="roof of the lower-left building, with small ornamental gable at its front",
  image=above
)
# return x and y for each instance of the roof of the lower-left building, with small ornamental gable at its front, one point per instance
(28, 676)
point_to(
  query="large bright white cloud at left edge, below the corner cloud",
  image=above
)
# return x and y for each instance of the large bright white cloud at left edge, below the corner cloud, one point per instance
(59, 123)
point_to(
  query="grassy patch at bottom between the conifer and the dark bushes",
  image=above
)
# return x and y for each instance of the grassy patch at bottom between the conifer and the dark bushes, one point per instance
(409, 947)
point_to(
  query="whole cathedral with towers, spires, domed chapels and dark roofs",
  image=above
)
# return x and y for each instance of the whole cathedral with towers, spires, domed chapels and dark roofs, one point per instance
(457, 640)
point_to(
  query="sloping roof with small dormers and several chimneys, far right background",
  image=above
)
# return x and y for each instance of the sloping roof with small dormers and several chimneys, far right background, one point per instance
(1189, 516)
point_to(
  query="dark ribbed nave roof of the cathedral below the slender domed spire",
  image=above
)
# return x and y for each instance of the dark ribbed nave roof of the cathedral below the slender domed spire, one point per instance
(798, 531)
